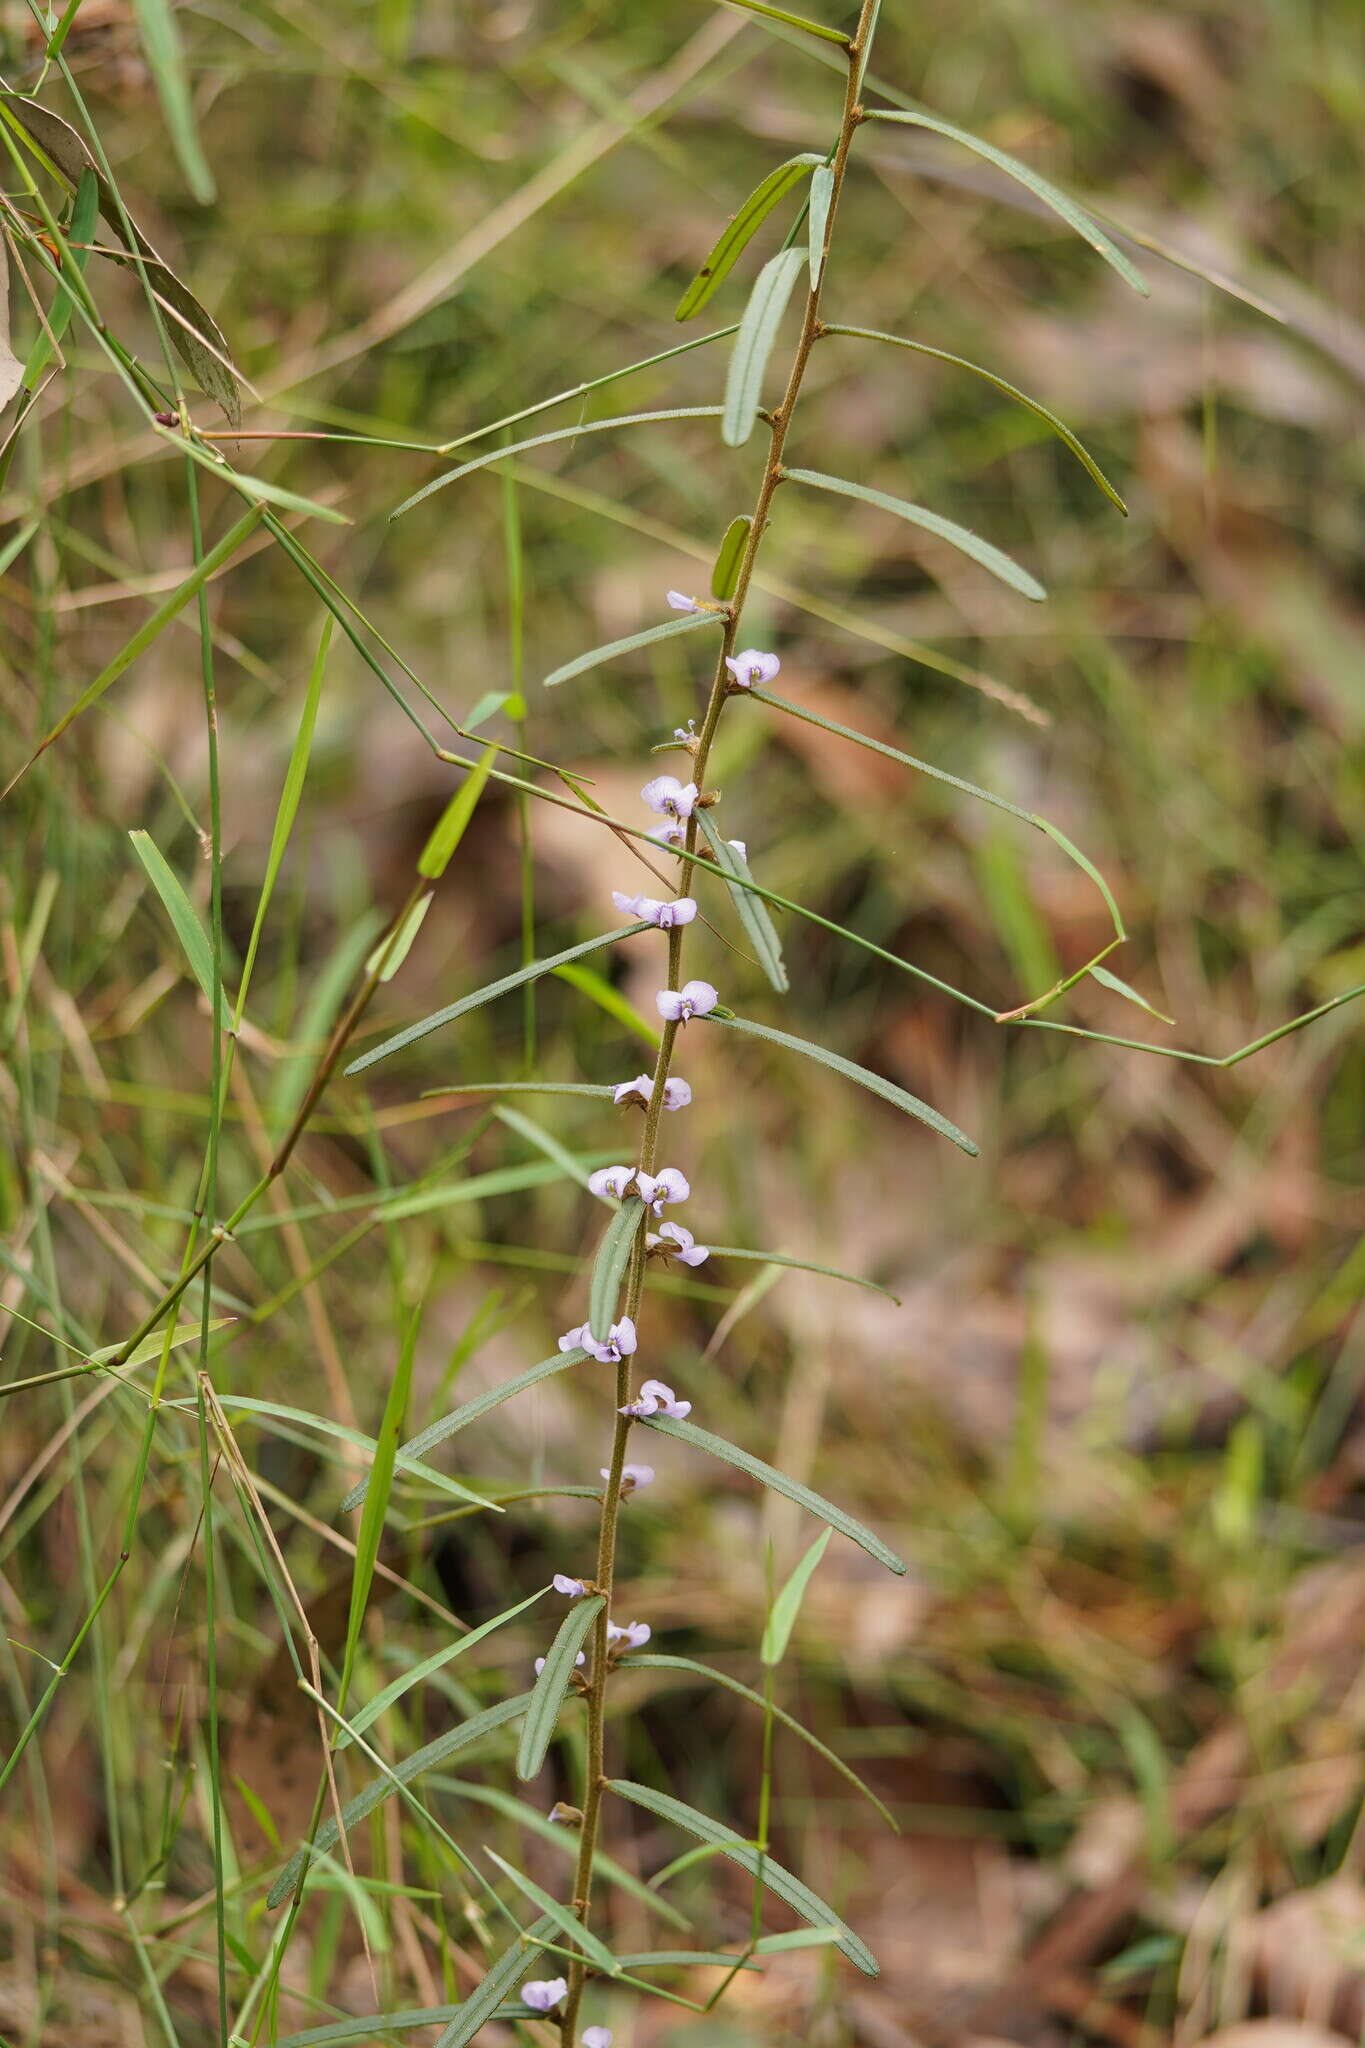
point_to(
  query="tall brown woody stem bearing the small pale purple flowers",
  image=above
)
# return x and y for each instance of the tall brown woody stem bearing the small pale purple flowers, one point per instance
(650, 1144)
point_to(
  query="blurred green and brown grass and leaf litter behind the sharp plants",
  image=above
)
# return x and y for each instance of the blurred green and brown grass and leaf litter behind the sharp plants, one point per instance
(1116, 1420)
